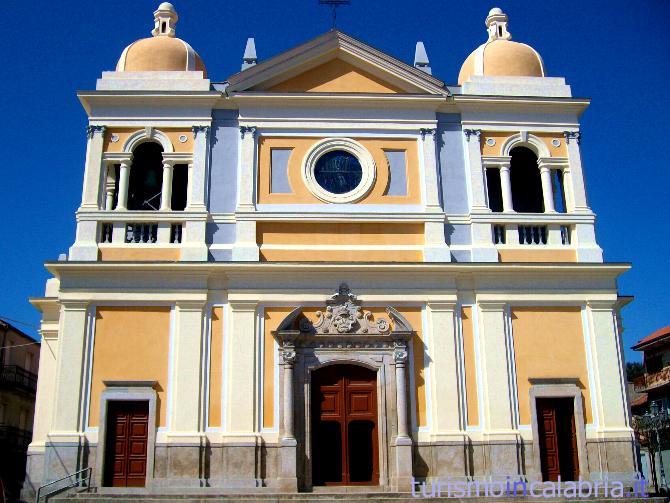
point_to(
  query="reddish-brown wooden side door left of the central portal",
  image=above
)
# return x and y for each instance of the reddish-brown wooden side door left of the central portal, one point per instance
(126, 443)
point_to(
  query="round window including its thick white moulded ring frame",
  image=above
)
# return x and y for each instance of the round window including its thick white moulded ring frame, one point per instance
(339, 170)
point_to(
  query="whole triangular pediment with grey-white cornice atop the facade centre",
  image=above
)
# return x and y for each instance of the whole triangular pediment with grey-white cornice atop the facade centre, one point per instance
(335, 63)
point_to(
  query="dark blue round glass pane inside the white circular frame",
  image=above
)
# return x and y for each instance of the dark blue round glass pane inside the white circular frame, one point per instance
(338, 172)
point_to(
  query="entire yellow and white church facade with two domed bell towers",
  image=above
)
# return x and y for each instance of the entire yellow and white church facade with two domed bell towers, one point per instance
(331, 268)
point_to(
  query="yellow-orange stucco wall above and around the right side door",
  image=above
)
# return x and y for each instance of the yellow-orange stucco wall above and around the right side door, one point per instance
(549, 343)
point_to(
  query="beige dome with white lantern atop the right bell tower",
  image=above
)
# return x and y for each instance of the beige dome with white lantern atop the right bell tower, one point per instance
(499, 56)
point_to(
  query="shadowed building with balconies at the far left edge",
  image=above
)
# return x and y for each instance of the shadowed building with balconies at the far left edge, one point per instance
(19, 361)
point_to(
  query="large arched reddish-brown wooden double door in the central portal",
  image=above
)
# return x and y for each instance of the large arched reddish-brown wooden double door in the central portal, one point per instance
(344, 426)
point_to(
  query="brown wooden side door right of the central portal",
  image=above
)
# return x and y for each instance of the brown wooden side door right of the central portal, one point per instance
(557, 438)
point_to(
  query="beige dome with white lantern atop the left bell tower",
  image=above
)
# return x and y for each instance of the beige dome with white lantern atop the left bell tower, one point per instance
(163, 52)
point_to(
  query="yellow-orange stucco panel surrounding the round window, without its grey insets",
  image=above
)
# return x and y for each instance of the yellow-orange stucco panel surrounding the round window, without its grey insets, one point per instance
(300, 193)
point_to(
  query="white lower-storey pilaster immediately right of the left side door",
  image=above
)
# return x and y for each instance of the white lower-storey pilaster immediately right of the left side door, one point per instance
(186, 407)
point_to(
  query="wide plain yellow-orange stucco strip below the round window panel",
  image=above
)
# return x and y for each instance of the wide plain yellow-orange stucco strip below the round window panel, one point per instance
(336, 234)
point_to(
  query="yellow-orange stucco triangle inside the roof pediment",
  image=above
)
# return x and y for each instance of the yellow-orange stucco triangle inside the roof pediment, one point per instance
(335, 76)
